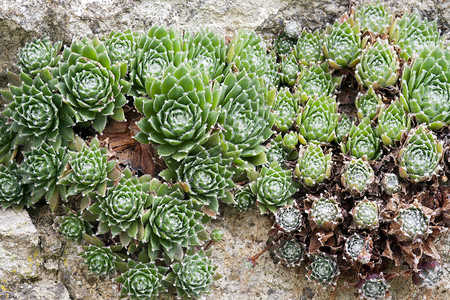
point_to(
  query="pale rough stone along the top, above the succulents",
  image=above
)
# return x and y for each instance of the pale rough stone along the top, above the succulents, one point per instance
(20, 20)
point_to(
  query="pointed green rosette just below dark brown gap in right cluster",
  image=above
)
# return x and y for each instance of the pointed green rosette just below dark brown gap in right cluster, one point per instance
(362, 141)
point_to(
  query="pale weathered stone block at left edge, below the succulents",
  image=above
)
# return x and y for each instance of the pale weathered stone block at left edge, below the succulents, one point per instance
(19, 251)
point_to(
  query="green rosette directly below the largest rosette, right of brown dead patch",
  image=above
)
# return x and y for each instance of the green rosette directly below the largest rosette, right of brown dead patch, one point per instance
(207, 175)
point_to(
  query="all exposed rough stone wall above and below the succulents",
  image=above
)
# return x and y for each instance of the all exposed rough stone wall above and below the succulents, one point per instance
(38, 264)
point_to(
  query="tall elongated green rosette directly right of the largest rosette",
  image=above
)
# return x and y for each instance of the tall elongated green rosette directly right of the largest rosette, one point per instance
(246, 118)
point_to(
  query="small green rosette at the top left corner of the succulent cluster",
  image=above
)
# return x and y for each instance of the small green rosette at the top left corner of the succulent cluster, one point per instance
(37, 55)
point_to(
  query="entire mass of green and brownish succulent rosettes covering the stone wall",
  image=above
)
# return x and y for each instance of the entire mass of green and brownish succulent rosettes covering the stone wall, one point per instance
(340, 136)
